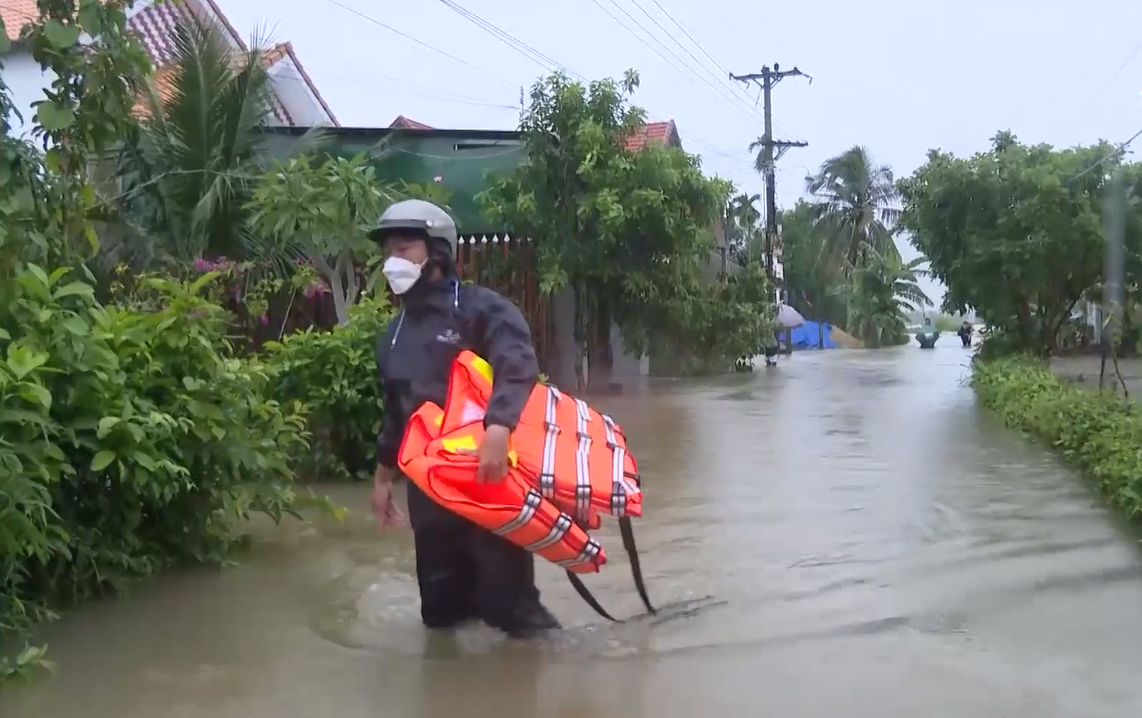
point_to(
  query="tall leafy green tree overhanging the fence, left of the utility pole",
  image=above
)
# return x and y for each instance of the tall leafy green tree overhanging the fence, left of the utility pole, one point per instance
(630, 232)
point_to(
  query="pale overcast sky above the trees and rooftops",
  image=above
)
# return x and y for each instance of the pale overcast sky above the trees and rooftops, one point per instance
(899, 77)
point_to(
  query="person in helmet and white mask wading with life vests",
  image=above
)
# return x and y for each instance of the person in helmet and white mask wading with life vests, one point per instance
(464, 572)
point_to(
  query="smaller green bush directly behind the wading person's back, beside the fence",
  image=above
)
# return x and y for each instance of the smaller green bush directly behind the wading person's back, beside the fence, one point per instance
(335, 375)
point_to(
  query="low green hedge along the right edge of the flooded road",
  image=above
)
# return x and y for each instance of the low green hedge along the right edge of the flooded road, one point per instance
(1099, 434)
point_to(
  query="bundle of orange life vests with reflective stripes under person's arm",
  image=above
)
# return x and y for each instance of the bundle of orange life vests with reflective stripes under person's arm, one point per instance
(568, 465)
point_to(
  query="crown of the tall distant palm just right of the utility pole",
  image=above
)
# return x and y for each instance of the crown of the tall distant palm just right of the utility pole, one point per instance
(855, 208)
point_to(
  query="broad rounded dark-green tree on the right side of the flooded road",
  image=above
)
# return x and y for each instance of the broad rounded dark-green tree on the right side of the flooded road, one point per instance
(1015, 232)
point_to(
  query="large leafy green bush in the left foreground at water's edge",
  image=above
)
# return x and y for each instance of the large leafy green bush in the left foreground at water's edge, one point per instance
(132, 441)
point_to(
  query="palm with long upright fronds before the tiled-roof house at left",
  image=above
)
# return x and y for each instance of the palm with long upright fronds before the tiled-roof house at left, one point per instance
(186, 176)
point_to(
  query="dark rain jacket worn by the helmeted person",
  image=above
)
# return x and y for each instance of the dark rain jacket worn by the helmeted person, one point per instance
(415, 358)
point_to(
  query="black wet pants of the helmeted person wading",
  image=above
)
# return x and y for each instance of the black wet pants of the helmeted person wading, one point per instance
(467, 572)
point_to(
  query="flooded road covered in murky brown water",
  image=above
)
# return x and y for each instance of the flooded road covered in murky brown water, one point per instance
(874, 546)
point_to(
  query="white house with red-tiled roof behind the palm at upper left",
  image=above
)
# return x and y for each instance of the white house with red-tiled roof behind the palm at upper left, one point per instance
(297, 101)
